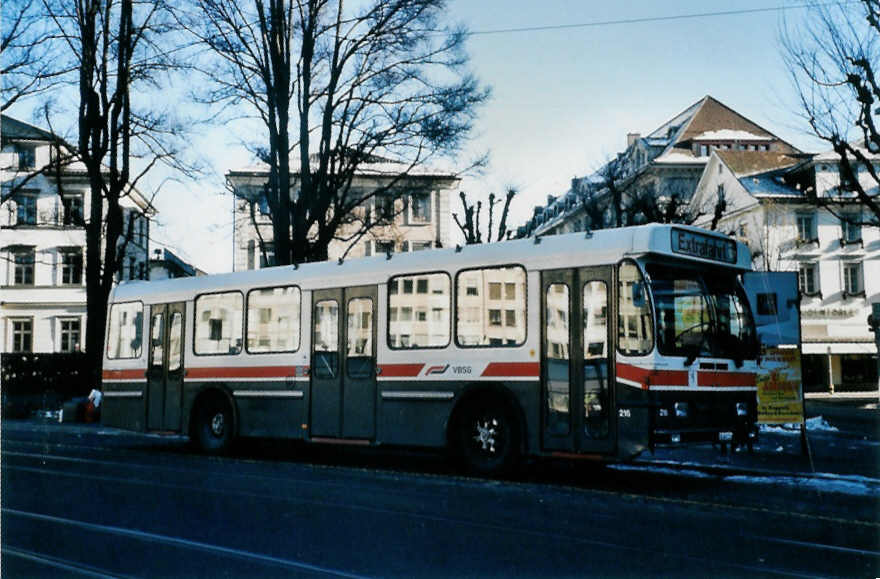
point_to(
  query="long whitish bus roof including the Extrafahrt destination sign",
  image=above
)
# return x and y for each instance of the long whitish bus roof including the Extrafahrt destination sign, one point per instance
(605, 246)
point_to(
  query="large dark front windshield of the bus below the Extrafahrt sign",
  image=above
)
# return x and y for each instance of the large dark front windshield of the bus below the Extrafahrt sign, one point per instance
(701, 313)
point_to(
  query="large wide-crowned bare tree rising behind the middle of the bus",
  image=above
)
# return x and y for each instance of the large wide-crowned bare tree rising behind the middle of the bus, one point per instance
(339, 89)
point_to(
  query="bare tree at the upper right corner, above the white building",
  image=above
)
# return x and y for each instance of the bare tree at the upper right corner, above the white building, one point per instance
(833, 58)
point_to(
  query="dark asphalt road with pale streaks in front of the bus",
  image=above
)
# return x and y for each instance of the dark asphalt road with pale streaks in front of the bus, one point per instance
(89, 501)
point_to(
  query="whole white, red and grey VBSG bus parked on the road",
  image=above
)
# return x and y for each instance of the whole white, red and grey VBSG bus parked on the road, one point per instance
(592, 345)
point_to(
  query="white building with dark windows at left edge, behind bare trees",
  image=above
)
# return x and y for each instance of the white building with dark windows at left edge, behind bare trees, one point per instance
(43, 244)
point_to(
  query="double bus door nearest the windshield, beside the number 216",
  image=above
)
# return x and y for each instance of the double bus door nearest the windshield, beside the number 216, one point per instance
(577, 360)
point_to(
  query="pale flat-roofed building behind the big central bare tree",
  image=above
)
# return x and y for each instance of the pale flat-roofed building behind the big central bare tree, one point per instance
(419, 210)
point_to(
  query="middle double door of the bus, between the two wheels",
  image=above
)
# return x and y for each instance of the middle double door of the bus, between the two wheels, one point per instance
(343, 368)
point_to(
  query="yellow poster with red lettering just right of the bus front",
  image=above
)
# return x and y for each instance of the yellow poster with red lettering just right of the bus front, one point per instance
(779, 387)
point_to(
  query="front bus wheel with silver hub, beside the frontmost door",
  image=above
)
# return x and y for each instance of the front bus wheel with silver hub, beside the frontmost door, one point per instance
(486, 437)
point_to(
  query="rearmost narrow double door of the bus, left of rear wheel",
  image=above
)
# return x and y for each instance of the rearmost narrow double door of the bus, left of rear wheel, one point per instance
(165, 370)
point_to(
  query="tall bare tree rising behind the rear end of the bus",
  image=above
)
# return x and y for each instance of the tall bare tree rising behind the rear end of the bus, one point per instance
(118, 57)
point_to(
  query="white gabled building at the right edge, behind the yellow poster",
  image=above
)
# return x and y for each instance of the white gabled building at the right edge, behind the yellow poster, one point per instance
(834, 249)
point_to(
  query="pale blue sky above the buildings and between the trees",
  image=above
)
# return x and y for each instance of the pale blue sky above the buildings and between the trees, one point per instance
(563, 99)
